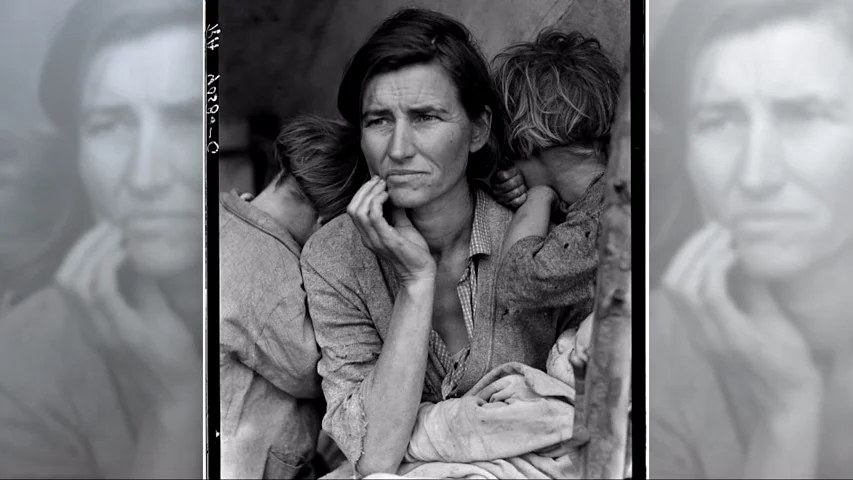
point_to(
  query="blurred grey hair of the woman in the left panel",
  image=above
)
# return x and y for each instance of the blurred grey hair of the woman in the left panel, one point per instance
(90, 26)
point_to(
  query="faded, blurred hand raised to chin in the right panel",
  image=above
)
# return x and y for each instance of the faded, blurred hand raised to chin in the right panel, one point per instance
(762, 356)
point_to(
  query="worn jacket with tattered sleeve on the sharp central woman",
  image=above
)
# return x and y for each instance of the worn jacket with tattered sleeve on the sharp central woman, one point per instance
(351, 294)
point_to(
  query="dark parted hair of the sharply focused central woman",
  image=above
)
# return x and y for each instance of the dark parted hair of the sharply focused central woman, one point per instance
(415, 36)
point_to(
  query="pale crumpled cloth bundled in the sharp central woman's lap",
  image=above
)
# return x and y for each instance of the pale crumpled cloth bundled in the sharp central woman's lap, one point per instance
(500, 429)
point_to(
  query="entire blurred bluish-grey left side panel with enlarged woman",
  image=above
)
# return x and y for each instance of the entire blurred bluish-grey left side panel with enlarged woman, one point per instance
(101, 238)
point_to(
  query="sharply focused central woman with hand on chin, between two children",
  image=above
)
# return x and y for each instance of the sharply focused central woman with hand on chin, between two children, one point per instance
(401, 290)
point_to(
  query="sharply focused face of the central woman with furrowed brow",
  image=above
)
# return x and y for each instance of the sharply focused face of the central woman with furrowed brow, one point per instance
(416, 134)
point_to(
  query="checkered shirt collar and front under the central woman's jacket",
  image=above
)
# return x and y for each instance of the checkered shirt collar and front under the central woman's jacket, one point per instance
(452, 367)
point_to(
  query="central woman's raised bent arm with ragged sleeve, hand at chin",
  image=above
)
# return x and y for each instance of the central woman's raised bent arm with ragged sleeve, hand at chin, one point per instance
(373, 387)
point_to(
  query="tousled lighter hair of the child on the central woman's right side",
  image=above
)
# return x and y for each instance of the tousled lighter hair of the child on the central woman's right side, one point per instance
(559, 90)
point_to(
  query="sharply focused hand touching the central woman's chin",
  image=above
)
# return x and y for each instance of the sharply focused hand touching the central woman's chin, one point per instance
(401, 244)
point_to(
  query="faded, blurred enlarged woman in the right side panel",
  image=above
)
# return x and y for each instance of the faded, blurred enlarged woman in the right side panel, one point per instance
(751, 336)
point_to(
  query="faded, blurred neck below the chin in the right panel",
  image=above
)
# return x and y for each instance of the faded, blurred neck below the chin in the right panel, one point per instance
(820, 304)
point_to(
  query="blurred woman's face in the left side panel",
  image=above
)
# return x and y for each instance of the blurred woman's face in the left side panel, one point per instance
(141, 146)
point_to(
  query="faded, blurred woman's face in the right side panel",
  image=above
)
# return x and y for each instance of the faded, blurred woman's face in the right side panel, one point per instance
(770, 143)
